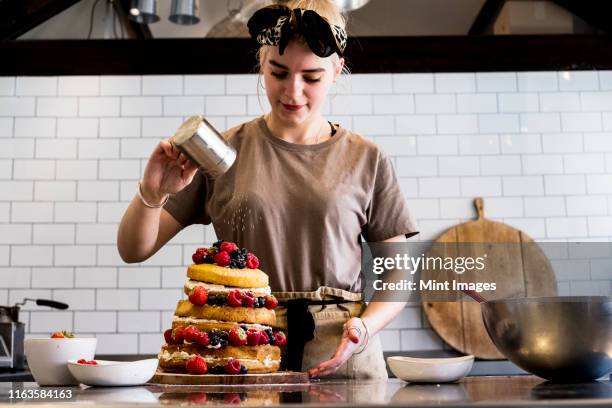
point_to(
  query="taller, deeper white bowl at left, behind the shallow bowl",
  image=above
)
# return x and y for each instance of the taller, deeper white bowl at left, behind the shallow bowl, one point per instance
(47, 358)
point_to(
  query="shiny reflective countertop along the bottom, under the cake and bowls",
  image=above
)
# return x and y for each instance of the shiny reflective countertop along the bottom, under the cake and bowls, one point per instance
(500, 391)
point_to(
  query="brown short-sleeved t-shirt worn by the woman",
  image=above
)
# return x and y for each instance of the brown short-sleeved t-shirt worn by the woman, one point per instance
(302, 209)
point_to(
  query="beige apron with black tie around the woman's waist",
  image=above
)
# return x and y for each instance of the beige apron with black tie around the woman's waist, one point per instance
(317, 317)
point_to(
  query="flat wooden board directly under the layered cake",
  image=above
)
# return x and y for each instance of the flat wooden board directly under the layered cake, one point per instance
(280, 377)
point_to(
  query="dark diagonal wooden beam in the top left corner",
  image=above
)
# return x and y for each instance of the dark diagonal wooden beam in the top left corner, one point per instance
(17, 17)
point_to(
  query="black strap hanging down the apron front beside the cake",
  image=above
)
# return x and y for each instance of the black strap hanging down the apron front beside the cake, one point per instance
(300, 328)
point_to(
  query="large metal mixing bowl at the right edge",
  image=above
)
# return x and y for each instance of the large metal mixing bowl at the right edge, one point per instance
(558, 338)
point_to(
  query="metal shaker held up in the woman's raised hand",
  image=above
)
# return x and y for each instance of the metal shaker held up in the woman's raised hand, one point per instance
(197, 139)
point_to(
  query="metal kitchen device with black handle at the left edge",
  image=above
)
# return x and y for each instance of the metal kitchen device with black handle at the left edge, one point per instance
(12, 333)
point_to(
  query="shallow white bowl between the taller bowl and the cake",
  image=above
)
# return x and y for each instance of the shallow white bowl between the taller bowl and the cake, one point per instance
(114, 373)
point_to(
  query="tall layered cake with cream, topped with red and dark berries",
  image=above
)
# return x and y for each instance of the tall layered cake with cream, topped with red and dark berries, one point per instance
(225, 326)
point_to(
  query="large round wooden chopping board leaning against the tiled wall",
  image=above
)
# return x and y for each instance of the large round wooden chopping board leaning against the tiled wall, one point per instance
(520, 271)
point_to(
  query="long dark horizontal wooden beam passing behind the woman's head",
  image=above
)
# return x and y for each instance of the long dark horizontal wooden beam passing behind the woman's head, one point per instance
(364, 55)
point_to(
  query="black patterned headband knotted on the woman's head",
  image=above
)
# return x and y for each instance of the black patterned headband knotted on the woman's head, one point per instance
(275, 25)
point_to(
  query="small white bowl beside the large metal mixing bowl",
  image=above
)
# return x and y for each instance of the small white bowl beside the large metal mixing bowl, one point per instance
(430, 370)
